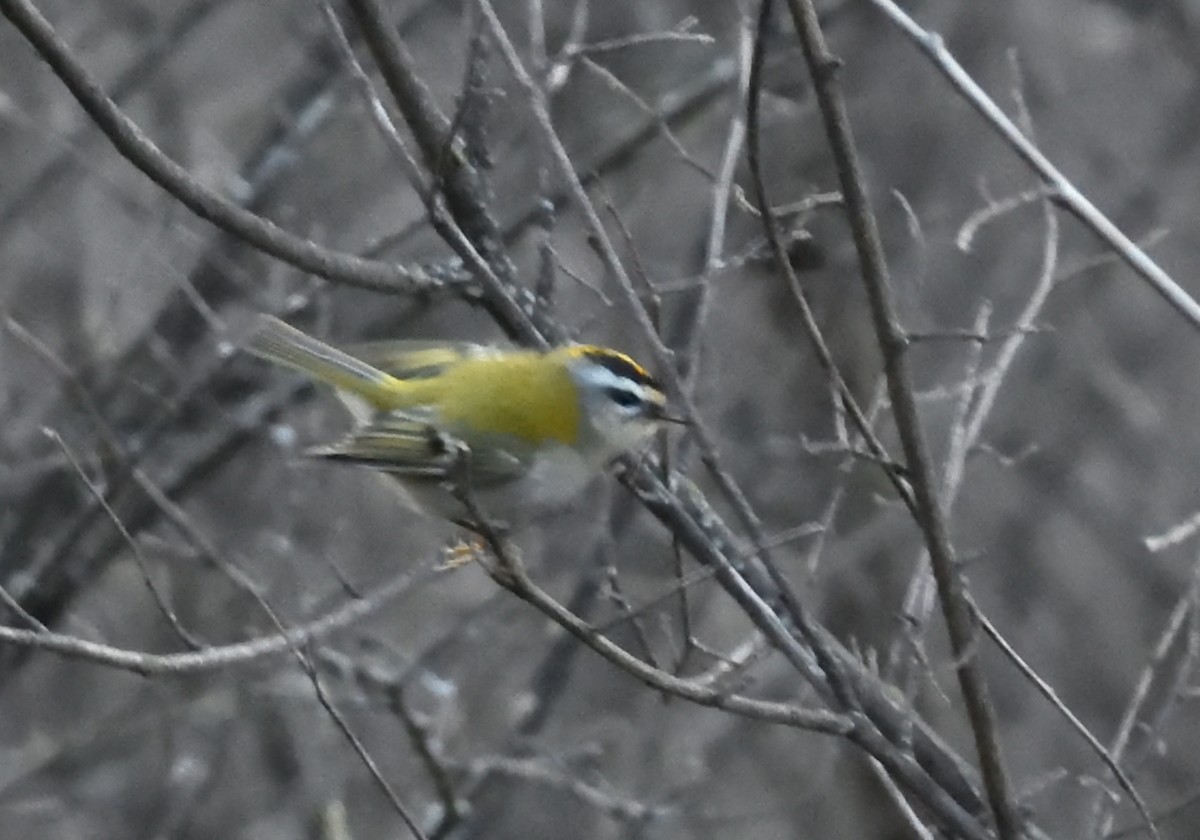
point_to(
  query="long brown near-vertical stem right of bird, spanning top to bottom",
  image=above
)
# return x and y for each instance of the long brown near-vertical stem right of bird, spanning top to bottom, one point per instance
(961, 623)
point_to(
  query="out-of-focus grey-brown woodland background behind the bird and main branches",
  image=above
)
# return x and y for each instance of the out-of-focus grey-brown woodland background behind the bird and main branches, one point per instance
(124, 314)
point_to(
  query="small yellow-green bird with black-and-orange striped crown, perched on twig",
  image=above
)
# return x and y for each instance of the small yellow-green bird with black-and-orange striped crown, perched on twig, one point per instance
(538, 427)
